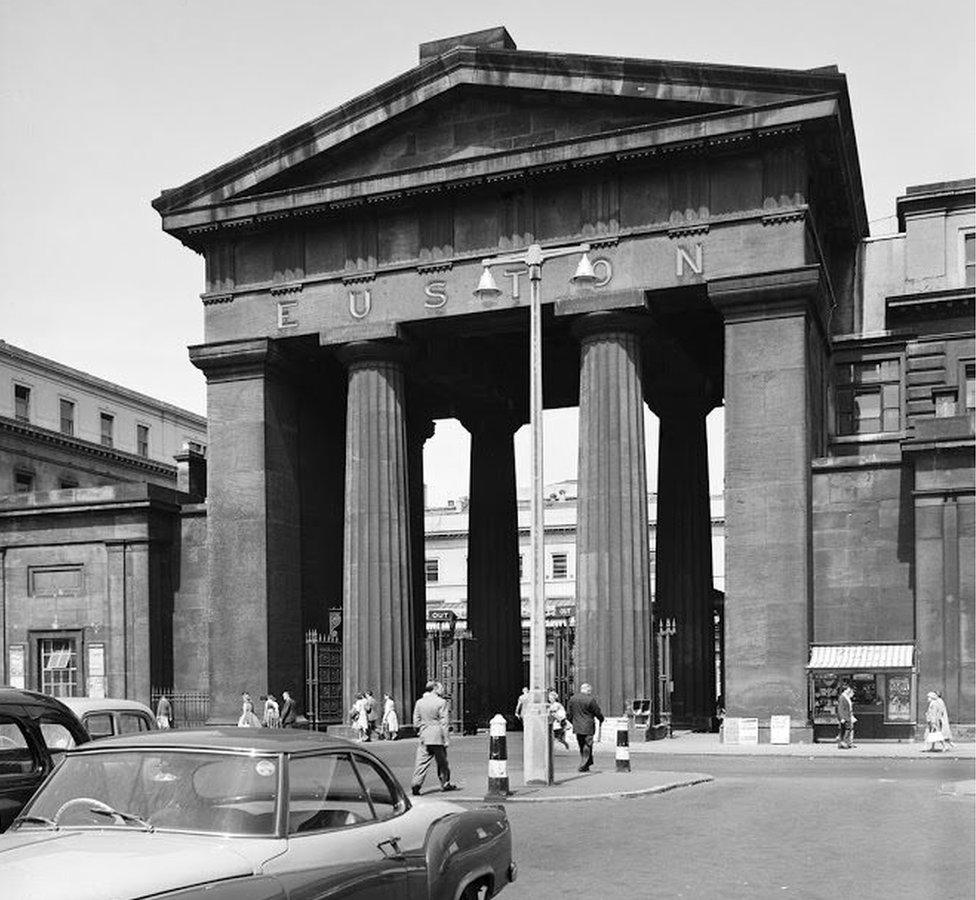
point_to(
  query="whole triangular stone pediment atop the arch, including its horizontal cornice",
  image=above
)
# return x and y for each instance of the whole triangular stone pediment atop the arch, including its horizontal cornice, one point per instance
(474, 112)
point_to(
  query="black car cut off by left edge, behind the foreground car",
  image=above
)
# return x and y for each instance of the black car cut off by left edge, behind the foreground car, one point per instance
(35, 731)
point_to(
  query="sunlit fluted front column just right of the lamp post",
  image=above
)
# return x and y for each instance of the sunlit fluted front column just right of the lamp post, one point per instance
(613, 640)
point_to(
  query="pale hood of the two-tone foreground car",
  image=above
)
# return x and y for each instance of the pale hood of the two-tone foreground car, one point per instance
(40, 864)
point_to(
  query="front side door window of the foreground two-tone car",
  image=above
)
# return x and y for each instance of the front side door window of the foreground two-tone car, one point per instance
(324, 792)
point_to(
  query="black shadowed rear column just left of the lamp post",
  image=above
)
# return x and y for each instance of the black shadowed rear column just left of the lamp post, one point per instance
(494, 598)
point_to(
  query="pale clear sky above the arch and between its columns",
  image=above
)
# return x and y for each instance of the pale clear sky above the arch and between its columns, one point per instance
(103, 103)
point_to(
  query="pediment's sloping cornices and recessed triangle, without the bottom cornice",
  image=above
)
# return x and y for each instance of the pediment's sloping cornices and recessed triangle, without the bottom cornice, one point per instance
(372, 134)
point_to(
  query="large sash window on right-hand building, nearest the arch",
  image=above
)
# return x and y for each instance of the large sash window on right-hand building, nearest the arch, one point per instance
(868, 397)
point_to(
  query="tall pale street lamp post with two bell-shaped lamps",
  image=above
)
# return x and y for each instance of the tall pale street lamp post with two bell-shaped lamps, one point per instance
(537, 736)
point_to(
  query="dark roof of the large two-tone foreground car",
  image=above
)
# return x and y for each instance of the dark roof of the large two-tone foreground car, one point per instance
(227, 737)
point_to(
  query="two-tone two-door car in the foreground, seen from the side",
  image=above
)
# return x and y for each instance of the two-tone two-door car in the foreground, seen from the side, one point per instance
(256, 814)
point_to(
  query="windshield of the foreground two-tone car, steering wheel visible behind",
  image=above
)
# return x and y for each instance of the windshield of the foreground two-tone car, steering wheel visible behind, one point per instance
(168, 790)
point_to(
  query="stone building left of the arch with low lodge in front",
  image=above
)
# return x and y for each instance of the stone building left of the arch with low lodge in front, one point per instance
(96, 483)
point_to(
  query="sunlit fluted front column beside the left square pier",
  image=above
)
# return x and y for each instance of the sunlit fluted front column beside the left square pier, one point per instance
(378, 615)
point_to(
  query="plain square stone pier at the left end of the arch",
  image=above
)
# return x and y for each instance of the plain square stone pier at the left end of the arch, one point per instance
(253, 523)
